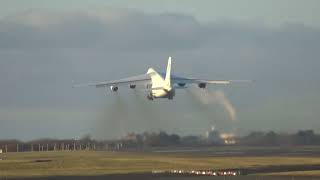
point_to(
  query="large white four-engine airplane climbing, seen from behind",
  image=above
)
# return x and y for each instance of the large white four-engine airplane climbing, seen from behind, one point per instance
(159, 85)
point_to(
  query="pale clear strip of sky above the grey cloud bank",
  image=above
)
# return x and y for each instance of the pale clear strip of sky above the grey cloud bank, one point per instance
(273, 12)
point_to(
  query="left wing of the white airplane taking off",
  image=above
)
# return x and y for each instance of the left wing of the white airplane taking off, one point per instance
(134, 80)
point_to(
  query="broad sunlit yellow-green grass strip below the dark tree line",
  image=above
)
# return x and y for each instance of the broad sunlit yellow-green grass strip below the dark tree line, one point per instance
(98, 163)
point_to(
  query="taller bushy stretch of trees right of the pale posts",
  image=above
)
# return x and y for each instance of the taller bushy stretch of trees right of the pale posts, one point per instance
(256, 138)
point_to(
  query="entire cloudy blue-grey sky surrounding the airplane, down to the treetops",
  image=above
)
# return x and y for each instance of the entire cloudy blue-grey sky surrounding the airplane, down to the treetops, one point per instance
(45, 45)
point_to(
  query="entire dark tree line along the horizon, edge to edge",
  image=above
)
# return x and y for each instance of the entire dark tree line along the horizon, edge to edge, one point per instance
(162, 139)
